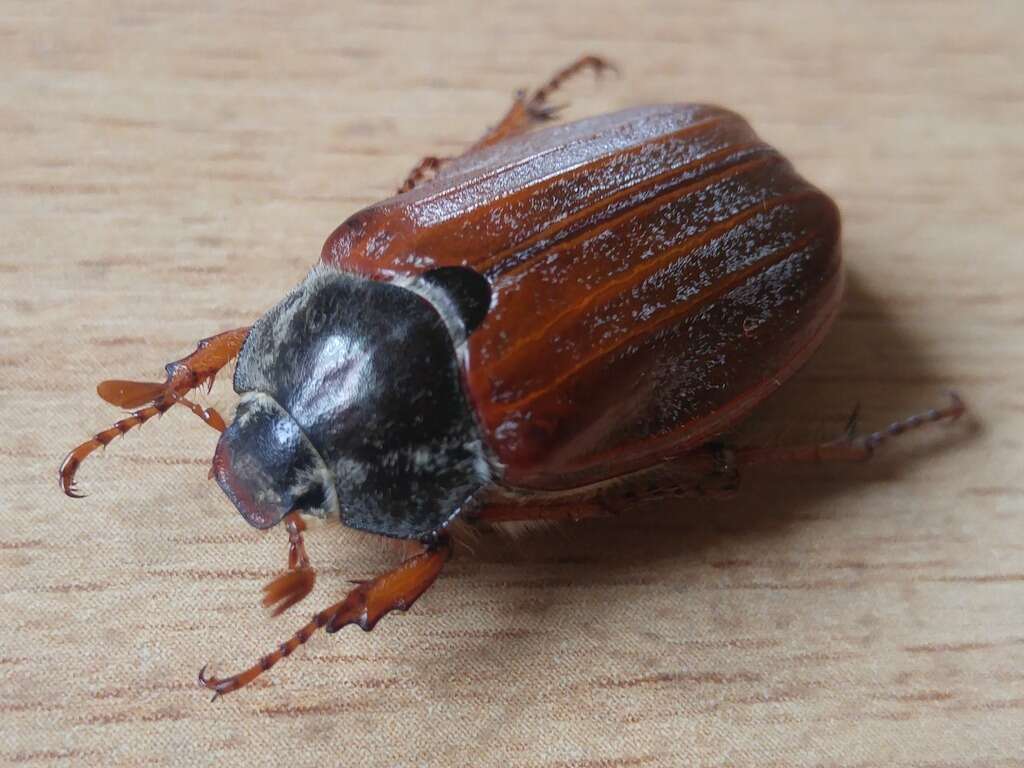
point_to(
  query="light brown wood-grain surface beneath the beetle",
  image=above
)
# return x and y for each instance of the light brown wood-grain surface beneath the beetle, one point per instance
(169, 173)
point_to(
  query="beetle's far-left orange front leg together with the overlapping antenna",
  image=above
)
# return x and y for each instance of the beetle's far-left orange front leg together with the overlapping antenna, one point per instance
(199, 368)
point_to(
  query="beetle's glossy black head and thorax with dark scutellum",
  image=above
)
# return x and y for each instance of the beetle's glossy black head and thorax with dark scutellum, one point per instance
(353, 405)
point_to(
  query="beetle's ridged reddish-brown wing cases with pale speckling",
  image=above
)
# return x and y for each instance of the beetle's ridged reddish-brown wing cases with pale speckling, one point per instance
(657, 273)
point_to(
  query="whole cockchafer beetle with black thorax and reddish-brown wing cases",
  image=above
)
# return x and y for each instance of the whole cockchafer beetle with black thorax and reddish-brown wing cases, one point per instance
(552, 323)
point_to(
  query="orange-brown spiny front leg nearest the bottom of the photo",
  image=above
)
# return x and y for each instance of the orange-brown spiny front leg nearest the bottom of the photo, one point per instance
(365, 606)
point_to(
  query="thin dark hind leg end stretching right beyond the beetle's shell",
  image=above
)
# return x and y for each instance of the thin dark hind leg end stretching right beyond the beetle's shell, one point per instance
(849, 448)
